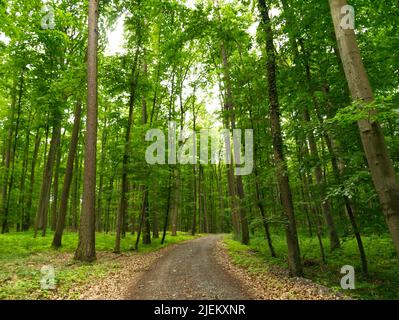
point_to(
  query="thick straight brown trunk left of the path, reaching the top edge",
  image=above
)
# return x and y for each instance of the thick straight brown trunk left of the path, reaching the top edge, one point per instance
(86, 250)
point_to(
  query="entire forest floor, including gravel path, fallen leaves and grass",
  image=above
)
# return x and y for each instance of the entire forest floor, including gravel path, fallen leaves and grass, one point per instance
(204, 267)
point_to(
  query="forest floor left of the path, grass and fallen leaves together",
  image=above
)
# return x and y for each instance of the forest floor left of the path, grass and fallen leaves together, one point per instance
(22, 258)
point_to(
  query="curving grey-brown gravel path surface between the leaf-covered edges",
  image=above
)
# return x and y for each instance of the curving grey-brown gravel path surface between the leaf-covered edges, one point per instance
(189, 271)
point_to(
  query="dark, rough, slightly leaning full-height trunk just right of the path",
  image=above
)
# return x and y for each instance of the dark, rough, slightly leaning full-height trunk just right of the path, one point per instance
(294, 258)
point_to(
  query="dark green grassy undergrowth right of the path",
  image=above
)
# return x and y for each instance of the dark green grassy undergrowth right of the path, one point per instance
(381, 283)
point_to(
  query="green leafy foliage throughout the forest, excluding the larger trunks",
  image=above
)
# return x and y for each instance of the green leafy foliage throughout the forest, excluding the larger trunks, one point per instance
(172, 69)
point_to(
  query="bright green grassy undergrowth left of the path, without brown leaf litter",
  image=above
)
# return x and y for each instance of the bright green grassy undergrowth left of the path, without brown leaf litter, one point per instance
(22, 257)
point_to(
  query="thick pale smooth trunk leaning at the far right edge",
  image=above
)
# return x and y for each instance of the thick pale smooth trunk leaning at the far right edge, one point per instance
(380, 164)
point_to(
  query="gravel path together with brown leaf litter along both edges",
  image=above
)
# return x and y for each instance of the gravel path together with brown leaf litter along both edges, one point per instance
(199, 269)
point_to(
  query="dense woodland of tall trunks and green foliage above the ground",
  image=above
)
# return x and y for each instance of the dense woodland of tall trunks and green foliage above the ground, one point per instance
(272, 66)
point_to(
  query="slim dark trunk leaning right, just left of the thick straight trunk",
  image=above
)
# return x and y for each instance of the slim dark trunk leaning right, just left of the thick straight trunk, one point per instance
(60, 225)
